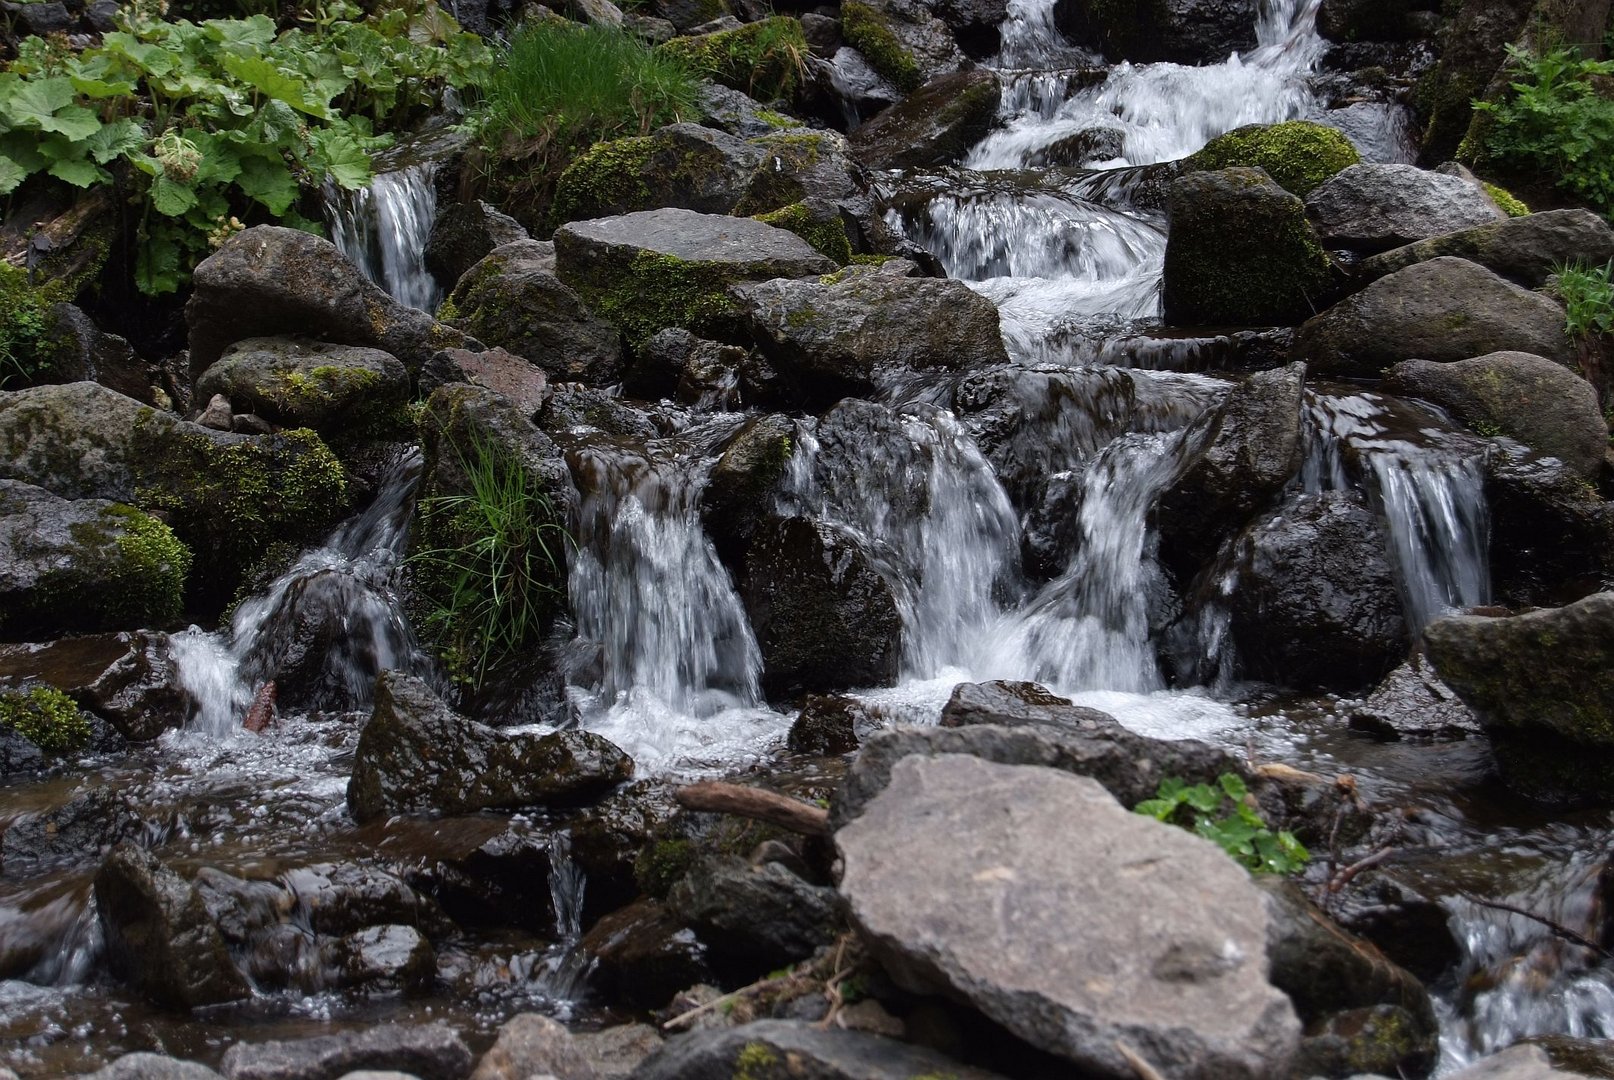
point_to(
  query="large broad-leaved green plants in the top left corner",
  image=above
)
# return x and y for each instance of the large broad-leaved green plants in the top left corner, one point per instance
(225, 122)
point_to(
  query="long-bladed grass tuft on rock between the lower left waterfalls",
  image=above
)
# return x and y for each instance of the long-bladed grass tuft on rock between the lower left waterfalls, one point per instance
(490, 566)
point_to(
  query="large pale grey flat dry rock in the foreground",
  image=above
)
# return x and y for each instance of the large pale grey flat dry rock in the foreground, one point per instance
(1076, 924)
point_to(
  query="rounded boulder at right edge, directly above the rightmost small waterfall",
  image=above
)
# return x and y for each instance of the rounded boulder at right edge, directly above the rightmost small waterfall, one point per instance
(1536, 401)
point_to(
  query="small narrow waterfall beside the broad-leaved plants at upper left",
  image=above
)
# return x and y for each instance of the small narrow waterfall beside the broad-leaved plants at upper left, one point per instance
(385, 228)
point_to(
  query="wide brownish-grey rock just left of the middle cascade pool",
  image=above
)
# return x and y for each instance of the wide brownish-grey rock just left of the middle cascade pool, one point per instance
(866, 330)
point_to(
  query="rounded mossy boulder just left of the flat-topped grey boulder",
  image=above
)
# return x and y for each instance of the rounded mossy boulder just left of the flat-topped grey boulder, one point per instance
(514, 301)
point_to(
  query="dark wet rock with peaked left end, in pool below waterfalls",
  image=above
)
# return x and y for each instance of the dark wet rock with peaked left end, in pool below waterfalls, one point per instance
(416, 755)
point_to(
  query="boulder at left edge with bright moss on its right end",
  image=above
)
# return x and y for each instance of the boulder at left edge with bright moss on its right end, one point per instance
(83, 566)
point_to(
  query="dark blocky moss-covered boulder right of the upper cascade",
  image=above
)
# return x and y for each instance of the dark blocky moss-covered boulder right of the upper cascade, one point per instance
(1240, 253)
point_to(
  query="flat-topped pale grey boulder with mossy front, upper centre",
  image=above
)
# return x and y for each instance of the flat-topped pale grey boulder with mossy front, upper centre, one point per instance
(661, 269)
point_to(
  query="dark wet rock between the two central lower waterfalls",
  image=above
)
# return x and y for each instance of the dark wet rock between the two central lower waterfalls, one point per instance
(824, 616)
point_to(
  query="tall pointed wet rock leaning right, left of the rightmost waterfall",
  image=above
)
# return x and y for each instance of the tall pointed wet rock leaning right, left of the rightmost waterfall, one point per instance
(1239, 458)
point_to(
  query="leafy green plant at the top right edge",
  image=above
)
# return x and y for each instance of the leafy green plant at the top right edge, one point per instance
(1558, 123)
